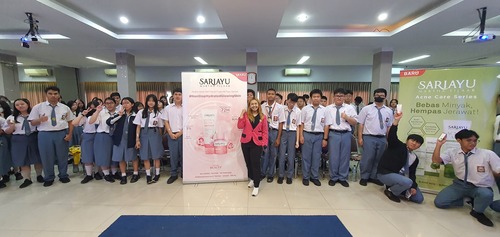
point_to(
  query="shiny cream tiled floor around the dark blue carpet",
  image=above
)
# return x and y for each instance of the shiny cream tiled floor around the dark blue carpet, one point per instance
(74, 209)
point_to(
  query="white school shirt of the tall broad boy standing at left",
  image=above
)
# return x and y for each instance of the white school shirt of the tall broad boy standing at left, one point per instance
(63, 116)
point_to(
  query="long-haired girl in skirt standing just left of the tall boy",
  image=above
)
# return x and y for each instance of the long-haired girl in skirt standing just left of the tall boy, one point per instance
(24, 142)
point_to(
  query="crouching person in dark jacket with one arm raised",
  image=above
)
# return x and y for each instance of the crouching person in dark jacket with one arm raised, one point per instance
(398, 165)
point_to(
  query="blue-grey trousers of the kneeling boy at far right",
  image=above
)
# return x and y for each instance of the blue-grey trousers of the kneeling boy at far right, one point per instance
(453, 196)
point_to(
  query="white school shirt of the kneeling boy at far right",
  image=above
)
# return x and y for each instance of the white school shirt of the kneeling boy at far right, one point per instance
(480, 165)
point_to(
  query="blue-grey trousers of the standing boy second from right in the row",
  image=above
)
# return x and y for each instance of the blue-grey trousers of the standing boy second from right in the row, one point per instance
(339, 145)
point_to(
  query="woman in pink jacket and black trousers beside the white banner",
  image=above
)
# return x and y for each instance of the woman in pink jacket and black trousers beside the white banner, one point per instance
(253, 140)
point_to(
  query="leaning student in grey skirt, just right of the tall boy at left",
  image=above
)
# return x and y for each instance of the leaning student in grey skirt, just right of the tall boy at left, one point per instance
(88, 136)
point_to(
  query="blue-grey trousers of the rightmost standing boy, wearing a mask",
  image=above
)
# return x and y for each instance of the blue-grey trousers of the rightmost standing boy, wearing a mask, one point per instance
(373, 148)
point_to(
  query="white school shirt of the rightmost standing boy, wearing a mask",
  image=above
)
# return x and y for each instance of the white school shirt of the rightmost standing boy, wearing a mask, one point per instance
(368, 116)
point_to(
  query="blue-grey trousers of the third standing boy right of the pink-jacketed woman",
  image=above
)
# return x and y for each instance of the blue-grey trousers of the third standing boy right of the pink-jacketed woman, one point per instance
(311, 155)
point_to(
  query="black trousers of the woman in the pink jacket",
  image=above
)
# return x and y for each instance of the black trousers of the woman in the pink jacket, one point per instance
(252, 153)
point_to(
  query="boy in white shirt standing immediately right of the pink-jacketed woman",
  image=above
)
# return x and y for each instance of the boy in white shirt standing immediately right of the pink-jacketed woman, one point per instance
(275, 118)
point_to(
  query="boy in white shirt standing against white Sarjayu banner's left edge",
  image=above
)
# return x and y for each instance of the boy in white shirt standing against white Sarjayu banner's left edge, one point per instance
(172, 116)
